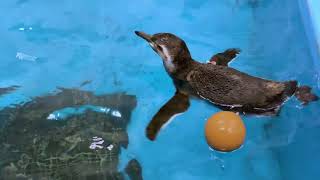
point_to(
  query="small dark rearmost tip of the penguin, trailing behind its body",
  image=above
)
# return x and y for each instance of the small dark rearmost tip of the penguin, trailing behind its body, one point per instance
(304, 94)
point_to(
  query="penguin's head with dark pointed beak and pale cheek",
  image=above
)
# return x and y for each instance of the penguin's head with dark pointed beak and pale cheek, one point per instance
(169, 47)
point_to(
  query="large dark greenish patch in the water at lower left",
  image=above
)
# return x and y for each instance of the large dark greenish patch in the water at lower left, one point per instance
(34, 147)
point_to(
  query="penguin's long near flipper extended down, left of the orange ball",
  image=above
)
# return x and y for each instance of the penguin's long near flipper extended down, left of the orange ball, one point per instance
(179, 103)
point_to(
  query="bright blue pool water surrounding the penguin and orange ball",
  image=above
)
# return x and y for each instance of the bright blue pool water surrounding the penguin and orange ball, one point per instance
(75, 41)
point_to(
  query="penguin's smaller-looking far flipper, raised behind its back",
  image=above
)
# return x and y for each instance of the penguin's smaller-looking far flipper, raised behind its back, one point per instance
(224, 58)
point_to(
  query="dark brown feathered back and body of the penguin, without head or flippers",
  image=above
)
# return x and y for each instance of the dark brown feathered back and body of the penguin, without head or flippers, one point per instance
(234, 90)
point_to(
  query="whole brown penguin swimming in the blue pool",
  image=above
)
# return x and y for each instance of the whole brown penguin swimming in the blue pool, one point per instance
(216, 82)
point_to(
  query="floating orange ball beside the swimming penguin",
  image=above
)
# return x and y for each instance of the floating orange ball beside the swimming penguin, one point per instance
(225, 131)
